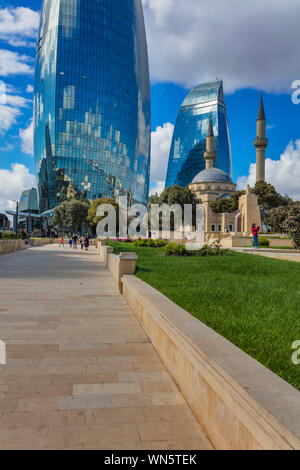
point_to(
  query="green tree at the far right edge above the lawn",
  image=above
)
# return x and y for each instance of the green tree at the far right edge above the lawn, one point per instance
(286, 219)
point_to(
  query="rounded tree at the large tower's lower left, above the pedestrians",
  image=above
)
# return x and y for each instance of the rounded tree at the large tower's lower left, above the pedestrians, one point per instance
(72, 214)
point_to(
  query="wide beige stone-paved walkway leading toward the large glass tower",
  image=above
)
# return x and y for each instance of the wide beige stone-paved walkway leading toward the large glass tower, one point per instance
(80, 373)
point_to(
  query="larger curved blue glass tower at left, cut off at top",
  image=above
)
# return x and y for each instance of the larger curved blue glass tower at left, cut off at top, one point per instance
(92, 101)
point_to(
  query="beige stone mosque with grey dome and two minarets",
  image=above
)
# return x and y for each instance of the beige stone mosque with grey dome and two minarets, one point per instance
(212, 184)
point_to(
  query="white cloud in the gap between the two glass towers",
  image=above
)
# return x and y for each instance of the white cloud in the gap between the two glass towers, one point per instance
(161, 140)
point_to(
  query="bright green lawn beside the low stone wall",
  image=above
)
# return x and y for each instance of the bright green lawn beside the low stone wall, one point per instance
(252, 301)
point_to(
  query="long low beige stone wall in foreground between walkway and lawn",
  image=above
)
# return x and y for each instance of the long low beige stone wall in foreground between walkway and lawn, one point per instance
(240, 403)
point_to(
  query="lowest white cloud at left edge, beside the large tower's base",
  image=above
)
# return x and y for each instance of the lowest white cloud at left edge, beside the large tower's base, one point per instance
(12, 183)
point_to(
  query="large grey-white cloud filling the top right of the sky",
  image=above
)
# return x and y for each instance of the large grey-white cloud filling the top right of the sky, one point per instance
(249, 44)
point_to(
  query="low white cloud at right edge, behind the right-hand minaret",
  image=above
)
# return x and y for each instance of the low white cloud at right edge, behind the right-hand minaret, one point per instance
(284, 174)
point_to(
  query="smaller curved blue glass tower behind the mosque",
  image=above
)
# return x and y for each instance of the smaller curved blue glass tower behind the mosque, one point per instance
(189, 139)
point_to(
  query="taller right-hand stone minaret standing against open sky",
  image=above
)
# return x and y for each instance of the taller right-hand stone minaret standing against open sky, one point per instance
(261, 143)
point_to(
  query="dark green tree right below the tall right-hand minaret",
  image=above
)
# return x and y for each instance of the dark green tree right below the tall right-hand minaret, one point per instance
(269, 198)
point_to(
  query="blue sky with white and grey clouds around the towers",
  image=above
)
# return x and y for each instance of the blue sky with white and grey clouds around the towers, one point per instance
(252, 45)
